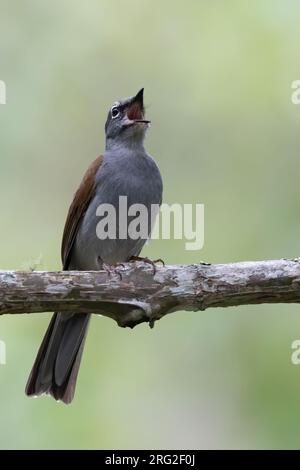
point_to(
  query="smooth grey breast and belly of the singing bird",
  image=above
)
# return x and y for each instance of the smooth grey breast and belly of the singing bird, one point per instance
(137, 180)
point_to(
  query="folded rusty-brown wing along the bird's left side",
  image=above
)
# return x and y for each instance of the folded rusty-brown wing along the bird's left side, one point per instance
(77, 209)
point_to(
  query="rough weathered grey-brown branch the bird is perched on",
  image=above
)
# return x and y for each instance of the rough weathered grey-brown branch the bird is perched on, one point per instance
(134, 294)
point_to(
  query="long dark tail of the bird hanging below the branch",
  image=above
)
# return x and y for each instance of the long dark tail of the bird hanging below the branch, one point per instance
(57, 363)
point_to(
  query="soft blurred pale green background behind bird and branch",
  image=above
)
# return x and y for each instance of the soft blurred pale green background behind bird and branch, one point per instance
(217, 78)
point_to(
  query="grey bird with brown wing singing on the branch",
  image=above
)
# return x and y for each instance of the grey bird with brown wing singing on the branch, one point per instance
(124, 169)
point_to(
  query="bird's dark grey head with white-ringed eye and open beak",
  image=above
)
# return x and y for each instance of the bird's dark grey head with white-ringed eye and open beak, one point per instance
(126, 123)
